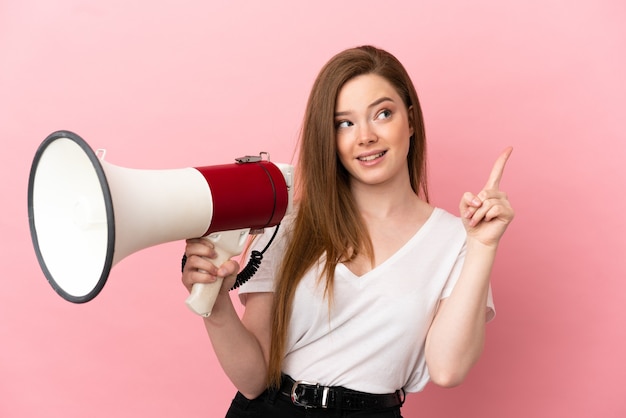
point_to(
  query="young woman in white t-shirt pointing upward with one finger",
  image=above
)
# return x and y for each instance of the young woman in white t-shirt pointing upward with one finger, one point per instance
(368, 291)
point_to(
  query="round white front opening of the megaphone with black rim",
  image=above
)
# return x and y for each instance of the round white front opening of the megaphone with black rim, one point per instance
(71, 216)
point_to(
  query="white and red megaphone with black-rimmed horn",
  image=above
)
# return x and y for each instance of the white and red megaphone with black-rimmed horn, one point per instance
(86, 214)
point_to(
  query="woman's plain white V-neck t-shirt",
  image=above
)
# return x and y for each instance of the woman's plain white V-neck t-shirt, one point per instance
(372, 340)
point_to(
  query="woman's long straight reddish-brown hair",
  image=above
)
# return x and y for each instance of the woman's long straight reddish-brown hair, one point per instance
(327, 222)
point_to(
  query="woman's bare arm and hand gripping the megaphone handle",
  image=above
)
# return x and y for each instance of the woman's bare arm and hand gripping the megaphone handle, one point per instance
(241, 345)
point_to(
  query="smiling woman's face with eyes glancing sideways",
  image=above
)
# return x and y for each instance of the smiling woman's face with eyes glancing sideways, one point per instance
(372, 130)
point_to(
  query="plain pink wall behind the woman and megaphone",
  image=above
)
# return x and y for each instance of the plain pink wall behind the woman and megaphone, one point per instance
(170, 84)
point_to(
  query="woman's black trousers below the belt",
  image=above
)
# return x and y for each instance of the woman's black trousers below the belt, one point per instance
(278, 405)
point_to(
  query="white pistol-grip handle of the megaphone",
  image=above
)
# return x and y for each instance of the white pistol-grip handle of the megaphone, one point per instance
(227, 244)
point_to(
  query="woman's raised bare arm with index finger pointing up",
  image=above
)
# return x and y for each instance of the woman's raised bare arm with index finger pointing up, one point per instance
(456, 338)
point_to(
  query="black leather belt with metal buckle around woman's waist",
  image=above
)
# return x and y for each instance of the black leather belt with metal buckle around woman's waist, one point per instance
(314, 395)
